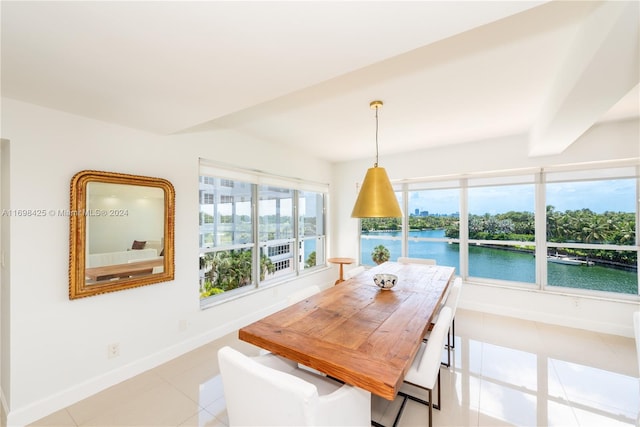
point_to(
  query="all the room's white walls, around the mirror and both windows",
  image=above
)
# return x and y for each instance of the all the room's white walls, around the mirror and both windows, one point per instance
(54, 351)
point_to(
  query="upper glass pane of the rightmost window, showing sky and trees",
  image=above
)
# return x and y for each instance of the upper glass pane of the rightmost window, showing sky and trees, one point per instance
(592, 212)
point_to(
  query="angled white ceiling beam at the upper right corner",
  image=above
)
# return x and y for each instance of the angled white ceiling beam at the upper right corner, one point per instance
(601, 67)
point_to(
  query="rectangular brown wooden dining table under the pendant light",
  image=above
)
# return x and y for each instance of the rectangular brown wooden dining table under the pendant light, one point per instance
(356, 332)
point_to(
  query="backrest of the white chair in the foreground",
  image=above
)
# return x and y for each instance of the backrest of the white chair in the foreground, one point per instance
(256, 394)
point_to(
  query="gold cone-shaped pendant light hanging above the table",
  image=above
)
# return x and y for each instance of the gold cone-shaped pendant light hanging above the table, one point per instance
(376, 198)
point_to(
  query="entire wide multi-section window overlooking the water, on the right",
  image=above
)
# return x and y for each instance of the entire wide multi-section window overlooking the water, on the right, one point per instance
(565, 228)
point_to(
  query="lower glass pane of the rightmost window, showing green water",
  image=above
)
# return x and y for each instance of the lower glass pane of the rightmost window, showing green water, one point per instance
(595, 269)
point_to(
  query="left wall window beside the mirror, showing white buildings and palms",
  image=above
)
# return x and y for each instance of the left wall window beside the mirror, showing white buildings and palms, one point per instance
(250, 234)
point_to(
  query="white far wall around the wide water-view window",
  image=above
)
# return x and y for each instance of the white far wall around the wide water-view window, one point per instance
(612, 141)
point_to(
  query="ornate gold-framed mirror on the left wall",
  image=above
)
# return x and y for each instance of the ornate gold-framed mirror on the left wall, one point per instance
(121, 232)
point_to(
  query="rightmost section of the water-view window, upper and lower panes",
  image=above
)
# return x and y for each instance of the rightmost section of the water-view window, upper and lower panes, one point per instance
(591, 226)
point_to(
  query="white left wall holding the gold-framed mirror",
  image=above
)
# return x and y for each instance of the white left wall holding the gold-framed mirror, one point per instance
(54, 351)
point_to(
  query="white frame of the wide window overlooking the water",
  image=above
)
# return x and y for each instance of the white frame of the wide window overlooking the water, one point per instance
(539, 178)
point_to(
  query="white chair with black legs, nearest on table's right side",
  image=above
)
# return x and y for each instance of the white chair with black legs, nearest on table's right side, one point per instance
(424, 372)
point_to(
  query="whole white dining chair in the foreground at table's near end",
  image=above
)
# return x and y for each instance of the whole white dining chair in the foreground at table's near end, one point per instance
(270, 391)
